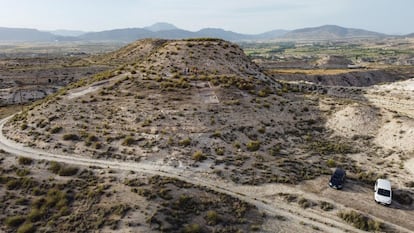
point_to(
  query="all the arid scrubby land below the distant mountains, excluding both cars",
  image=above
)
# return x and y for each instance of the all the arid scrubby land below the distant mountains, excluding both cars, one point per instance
(204, 135)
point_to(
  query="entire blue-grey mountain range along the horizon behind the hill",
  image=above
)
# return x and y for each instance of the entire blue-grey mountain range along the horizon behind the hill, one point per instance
(170, 31)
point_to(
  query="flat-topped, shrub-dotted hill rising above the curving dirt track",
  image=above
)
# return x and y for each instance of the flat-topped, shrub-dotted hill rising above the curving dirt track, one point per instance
(180, 102)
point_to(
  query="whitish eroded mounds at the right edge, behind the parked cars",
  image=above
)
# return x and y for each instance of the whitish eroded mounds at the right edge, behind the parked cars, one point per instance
(387, 116)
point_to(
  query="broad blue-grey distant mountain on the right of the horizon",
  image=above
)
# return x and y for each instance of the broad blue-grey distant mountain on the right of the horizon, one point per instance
(331, 32)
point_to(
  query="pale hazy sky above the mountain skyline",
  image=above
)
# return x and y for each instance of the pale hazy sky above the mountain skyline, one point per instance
(243, 16)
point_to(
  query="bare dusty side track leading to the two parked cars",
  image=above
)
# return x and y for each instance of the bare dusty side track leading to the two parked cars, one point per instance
(353, 196)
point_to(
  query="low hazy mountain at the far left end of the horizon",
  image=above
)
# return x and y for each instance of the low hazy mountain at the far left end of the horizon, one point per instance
(24, 34)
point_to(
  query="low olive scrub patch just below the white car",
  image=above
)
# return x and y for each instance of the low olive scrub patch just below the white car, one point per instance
(361, 221)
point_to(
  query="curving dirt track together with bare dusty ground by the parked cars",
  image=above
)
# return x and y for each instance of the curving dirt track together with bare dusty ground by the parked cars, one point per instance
(265, 197)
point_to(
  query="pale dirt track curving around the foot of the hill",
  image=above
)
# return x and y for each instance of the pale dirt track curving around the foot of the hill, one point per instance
(306, 220)
